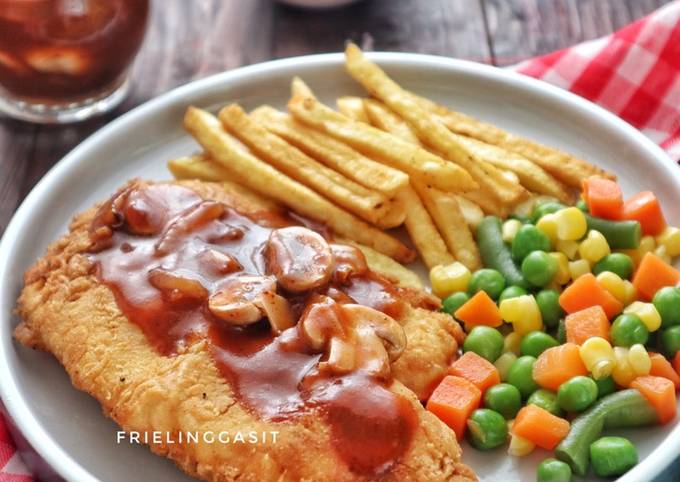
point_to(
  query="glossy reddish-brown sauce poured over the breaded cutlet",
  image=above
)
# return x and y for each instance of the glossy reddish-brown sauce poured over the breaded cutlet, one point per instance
(145, 229)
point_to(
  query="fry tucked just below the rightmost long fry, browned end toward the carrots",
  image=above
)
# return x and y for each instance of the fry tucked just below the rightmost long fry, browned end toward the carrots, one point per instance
(530, 175)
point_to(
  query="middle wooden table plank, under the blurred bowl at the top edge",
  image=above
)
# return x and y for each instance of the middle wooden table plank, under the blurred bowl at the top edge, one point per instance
(442, 27)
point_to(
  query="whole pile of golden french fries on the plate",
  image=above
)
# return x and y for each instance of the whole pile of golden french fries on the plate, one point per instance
(381, 162)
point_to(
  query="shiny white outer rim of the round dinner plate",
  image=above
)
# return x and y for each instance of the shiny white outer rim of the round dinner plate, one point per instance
(18, 408)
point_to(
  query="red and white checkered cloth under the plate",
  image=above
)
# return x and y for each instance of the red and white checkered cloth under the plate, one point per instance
(634, 73)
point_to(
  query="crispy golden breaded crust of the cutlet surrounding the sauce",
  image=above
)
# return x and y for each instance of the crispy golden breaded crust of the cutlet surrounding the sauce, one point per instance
(67, 311)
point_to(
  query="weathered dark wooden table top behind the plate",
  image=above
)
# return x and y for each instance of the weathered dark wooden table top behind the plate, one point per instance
(190, 39)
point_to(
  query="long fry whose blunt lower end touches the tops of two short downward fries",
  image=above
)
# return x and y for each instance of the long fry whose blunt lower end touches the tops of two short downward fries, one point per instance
(332, 152)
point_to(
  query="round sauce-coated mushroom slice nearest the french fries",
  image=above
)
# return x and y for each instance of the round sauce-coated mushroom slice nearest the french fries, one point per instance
(300, 258)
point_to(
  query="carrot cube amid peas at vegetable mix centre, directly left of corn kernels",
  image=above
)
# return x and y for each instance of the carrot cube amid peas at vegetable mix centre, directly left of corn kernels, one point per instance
(558, 364)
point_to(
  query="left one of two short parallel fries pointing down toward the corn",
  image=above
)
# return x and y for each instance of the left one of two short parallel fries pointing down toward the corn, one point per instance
(423, 232)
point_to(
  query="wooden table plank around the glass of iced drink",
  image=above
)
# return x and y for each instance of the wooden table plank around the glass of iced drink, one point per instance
(186, 40)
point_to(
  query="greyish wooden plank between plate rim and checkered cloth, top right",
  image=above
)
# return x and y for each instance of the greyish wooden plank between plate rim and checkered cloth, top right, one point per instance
(519, 29)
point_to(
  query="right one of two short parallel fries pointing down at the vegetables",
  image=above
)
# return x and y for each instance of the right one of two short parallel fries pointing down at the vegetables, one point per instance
(443, 207)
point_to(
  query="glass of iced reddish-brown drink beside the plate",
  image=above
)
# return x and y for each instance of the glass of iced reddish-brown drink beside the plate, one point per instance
(67, 60)
